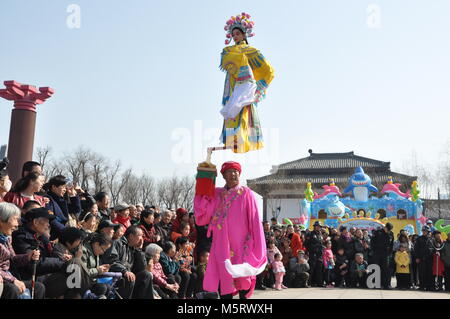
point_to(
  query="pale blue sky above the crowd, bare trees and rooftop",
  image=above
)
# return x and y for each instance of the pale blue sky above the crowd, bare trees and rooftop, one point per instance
(140, 78)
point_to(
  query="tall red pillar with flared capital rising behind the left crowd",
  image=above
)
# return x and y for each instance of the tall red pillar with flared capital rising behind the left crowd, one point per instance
(23, 123)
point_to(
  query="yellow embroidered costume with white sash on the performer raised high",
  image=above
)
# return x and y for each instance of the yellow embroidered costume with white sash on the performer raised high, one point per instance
(248, 76)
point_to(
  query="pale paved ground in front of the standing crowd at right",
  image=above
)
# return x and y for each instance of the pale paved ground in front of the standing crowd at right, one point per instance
(346, 293)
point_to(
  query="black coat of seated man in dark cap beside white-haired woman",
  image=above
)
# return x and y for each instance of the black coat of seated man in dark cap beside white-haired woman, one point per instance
(24, 240)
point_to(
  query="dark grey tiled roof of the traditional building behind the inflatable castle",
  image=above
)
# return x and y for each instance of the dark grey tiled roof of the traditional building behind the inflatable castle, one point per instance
(319, 168)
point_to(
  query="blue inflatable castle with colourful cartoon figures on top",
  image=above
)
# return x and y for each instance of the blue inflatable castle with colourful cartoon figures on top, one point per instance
(403, 210)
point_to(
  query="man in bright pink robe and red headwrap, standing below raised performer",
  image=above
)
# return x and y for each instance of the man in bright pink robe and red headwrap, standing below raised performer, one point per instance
(238, 252)
